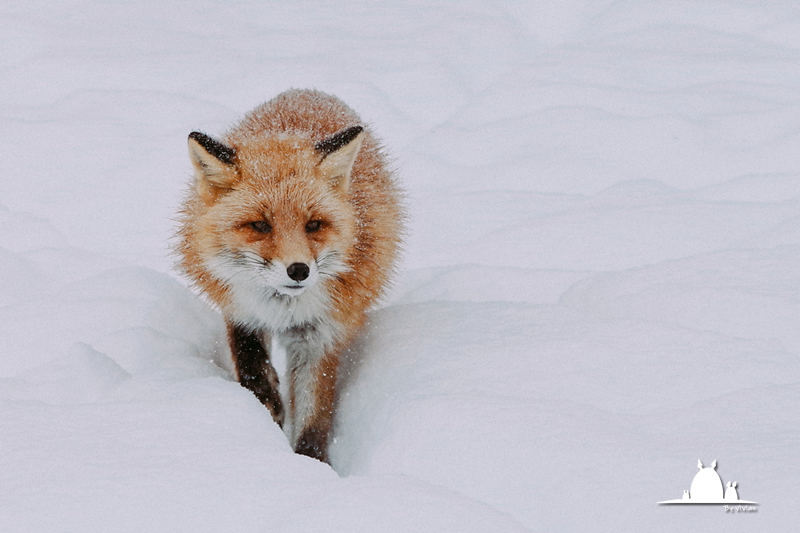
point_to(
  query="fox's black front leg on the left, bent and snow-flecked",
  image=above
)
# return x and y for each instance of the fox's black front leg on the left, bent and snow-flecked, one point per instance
(254, 369)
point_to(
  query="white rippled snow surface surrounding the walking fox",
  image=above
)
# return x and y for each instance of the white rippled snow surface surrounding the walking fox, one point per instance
(601, 283)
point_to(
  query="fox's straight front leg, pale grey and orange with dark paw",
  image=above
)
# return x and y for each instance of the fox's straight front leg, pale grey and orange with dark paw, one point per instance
(312, 371)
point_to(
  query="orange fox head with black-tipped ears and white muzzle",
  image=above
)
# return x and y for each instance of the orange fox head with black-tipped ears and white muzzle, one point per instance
(275, 213)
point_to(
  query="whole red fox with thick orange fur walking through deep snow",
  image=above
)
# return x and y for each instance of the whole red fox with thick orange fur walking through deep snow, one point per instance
(292, 228)
